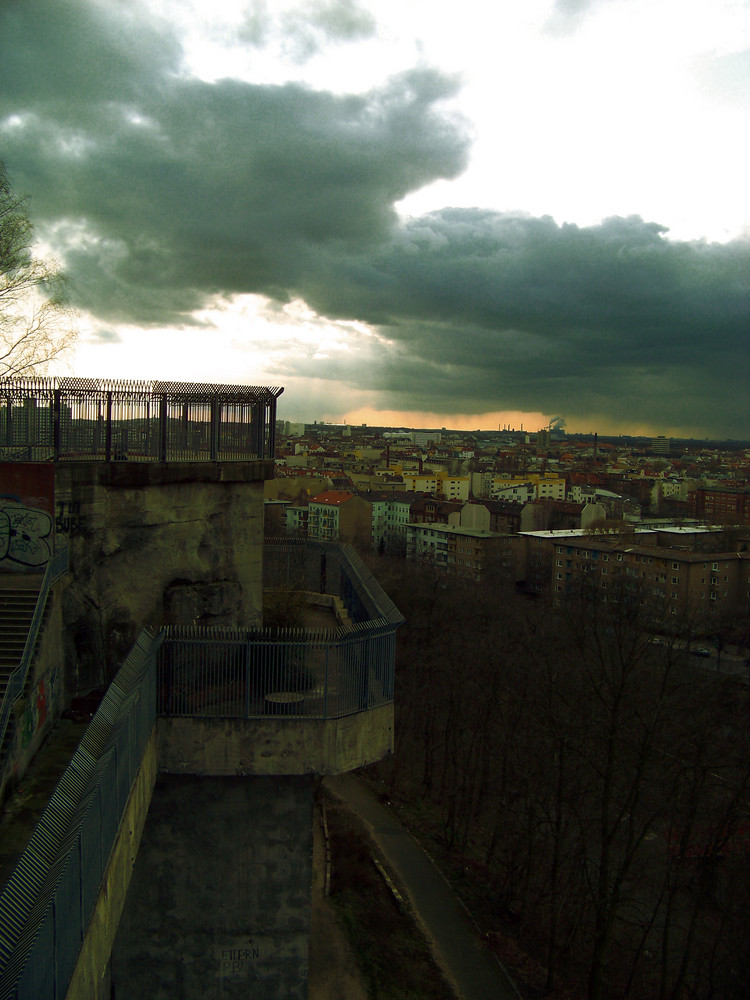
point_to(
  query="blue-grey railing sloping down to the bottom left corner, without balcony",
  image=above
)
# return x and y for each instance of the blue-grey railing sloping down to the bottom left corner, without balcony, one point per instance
(48, 901)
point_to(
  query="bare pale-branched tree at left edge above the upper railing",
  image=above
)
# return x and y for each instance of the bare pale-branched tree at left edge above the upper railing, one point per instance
(36, 325)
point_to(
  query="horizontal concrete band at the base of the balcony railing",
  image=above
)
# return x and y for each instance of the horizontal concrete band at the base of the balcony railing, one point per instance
(274, 746)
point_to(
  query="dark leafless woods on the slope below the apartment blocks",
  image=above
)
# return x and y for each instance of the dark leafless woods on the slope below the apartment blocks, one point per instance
(596, 783)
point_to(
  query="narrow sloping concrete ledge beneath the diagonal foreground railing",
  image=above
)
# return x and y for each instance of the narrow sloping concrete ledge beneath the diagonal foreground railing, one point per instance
(90, 980)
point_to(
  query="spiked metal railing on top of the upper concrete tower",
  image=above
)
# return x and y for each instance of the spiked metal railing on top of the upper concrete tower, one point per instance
(94, 419)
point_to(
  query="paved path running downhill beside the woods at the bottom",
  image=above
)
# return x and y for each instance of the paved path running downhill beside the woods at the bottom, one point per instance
(473, 971)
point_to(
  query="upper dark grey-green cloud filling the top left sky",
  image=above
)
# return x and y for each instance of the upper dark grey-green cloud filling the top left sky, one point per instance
(175, 189)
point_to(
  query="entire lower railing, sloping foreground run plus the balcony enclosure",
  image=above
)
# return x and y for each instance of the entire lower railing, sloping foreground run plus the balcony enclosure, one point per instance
(48, 901)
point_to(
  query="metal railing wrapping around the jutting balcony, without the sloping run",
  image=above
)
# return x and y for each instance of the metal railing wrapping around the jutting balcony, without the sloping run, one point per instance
(296, 672)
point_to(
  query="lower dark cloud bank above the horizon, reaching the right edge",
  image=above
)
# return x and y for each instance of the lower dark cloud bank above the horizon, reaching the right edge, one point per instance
(490, 311)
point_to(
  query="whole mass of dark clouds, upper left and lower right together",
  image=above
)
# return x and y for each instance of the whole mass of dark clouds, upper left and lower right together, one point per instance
(160, 191)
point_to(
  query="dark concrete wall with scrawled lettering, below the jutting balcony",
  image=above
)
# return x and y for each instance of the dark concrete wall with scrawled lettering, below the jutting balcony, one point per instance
(219, 904)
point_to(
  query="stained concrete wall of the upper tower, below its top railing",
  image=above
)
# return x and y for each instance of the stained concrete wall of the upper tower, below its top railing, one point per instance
(158, 544)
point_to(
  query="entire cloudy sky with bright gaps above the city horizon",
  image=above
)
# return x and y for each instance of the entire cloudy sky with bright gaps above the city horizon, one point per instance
(420, 212)
